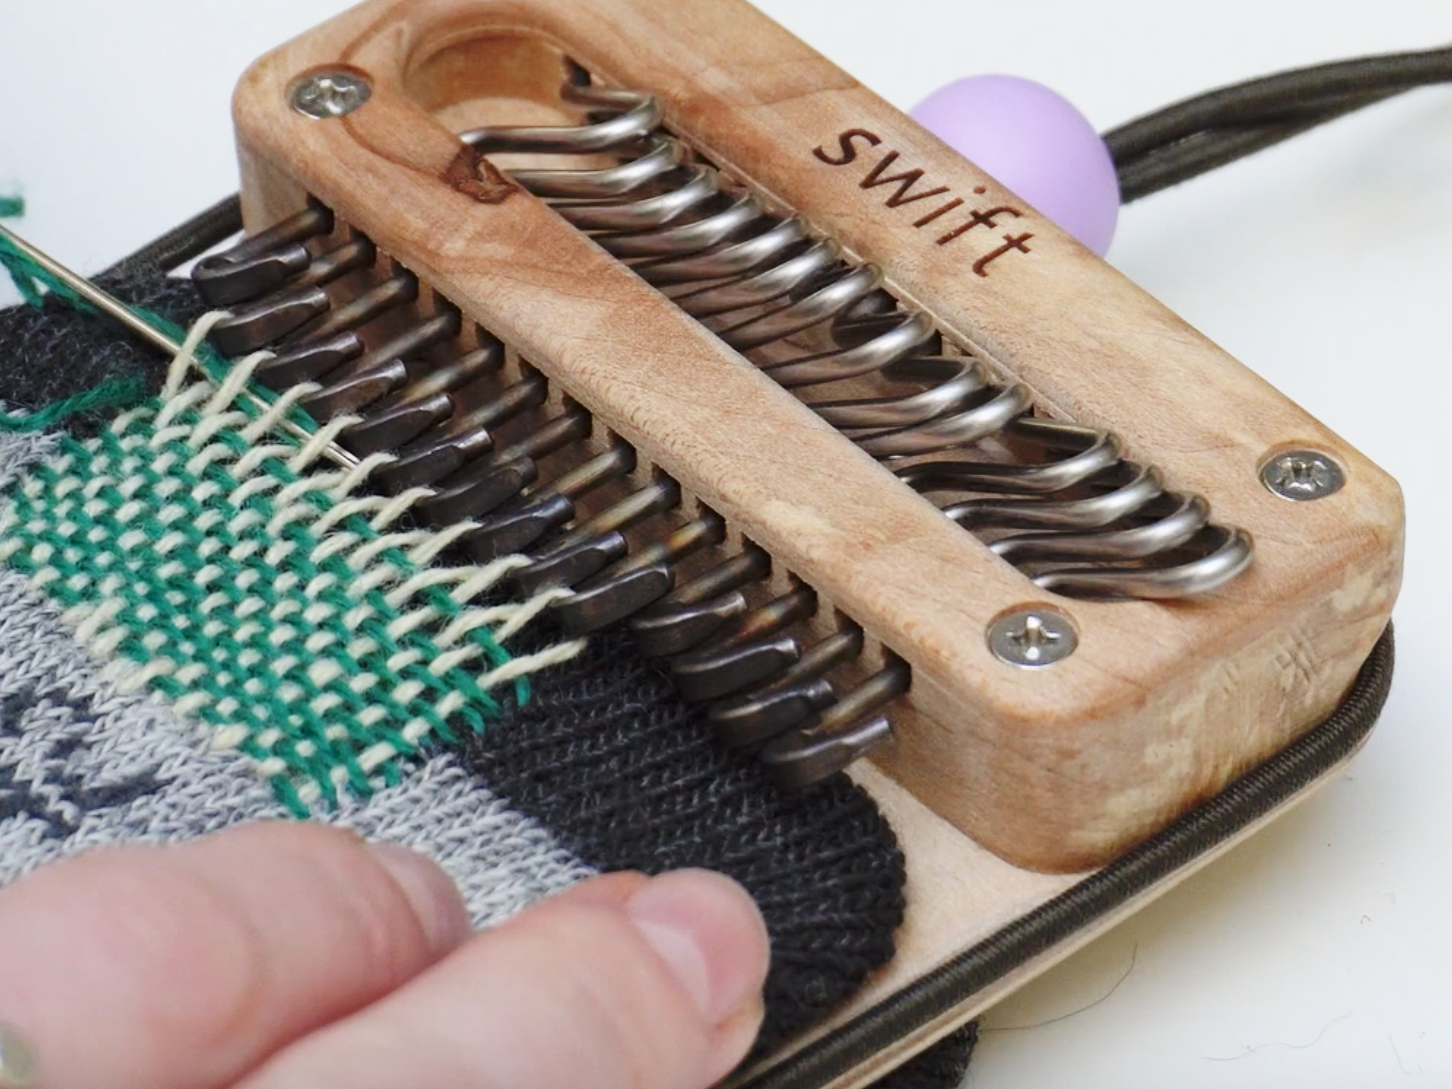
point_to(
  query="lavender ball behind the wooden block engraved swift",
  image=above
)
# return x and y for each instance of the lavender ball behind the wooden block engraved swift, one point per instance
(1036, 144)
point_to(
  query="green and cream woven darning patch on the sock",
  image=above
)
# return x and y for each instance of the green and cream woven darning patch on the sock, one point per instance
(198, 550)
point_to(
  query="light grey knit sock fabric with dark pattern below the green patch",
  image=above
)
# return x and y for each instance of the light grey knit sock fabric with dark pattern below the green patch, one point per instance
(83, 766)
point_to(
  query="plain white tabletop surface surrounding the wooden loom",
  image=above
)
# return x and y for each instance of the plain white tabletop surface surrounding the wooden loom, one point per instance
(1318, 956)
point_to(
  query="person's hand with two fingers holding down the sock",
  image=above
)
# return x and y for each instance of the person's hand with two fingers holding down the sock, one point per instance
(297, 956)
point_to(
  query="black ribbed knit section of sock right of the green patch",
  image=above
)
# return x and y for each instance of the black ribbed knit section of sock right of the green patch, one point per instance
(629, 778)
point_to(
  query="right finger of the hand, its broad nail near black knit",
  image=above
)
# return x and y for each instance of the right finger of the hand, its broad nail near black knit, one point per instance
(654, 985)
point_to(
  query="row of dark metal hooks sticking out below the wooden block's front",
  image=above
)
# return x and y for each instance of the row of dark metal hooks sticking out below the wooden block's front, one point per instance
(535, 477)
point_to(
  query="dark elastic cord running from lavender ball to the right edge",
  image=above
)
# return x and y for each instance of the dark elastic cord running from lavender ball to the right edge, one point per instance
(1212, 130)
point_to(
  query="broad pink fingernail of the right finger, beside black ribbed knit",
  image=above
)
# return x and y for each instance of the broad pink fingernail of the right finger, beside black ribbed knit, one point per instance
(709, 934)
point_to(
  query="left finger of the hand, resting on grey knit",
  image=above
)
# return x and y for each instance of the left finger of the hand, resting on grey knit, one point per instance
(185, 968)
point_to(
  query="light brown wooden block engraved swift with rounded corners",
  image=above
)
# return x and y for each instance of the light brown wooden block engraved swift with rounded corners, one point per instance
(1056, 770)
